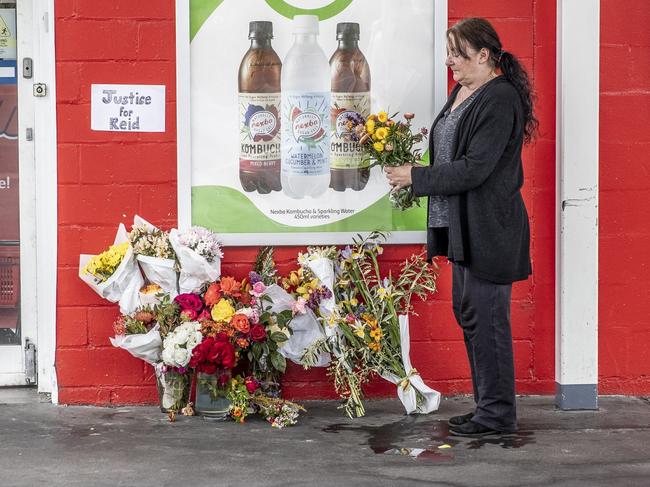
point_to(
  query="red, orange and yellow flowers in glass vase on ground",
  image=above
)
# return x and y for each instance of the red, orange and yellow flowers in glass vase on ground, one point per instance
(238, 363)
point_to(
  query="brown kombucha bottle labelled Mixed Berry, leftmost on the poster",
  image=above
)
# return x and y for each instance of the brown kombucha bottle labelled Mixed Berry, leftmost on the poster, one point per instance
(259, 112)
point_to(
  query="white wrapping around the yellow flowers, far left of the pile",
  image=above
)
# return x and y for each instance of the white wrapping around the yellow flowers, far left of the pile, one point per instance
(125, 283)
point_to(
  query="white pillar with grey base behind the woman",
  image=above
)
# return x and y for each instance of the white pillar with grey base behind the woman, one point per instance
(576, 338)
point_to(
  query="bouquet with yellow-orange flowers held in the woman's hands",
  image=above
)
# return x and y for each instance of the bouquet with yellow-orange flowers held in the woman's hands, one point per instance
(389, 142)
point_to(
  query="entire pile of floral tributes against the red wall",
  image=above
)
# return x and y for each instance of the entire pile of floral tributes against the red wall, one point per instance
(233, 338)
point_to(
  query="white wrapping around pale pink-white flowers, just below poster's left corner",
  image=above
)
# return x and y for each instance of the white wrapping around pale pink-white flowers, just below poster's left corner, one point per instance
(195, 269)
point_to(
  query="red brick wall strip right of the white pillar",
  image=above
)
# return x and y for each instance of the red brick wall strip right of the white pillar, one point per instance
(624, 329)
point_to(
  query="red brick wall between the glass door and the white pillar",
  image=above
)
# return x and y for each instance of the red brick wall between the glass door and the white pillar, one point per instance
(105, 178)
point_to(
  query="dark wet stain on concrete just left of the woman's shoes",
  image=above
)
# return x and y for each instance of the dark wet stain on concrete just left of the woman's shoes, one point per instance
(407, 437)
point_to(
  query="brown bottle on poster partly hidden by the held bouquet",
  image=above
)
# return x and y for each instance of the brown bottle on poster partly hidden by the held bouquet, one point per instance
(350, 95)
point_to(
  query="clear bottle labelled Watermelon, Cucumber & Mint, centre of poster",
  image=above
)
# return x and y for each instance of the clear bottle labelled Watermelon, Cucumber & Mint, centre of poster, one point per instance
(305, 113)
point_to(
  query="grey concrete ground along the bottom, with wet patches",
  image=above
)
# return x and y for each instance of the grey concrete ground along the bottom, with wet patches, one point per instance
(45, 445)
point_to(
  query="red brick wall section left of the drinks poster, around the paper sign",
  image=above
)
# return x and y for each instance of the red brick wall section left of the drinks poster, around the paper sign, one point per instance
(105, 178)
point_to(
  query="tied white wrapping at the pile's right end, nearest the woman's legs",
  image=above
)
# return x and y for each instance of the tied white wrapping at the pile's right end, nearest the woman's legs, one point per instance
(406, 386)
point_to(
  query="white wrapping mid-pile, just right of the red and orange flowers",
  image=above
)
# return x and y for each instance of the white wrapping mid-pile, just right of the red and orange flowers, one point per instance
(306, 328)
